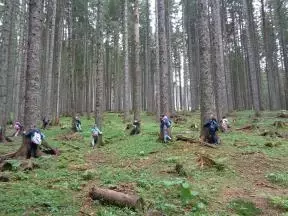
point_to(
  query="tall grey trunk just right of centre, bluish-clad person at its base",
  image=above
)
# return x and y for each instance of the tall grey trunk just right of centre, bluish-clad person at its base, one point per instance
(164, 77)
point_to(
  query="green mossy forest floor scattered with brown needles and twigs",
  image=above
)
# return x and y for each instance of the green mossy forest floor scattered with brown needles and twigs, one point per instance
(250, 176)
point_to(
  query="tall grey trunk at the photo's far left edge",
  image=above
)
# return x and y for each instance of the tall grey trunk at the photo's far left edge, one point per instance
(4, 62)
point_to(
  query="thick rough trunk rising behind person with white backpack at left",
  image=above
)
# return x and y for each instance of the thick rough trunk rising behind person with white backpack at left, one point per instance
(32, 93)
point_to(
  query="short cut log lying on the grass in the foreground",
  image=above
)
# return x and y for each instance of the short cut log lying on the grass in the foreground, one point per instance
(117, 198)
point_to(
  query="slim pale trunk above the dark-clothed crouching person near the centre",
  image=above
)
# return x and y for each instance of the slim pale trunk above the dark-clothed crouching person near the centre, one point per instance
(137, 70)
